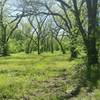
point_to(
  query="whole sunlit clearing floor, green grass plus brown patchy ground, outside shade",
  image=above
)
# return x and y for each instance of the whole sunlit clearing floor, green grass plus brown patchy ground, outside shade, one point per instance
(40, 77)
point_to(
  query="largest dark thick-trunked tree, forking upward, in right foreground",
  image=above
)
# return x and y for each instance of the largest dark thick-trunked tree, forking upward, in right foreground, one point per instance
(88, 31)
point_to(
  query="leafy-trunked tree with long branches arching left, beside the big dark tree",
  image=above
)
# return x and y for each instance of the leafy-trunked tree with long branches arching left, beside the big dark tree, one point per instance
(68, 24)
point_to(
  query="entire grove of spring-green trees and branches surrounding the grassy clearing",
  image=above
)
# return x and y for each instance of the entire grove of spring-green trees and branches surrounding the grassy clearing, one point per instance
(69, 26)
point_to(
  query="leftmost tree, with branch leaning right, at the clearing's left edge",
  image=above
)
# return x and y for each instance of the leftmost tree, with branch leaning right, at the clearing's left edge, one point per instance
(8, 26)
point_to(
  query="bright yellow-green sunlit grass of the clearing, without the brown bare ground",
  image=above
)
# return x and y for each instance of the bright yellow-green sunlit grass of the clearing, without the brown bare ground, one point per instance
(21, 73)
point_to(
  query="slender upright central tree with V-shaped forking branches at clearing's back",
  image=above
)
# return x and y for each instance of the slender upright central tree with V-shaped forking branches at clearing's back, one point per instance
(38, 28)
